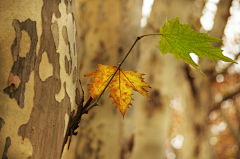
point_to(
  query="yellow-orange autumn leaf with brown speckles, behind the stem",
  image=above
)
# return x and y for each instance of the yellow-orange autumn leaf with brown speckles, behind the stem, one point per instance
(120, 87)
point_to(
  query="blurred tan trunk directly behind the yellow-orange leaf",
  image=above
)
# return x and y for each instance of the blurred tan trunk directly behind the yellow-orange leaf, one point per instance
(107, 29)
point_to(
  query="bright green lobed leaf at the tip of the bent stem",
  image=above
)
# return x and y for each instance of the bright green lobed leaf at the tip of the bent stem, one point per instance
(180, 40)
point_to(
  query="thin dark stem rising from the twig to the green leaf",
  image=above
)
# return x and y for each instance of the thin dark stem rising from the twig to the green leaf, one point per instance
(120, 64)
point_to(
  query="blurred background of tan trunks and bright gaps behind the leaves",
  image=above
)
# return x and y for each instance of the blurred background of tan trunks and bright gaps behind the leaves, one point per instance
(189, 116)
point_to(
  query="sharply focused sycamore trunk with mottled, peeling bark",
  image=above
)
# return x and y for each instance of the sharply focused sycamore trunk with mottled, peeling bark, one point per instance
(39, 71)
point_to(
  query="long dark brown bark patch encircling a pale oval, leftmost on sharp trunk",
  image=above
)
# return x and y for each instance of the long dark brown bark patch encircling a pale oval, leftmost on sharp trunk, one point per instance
(22, 66)
